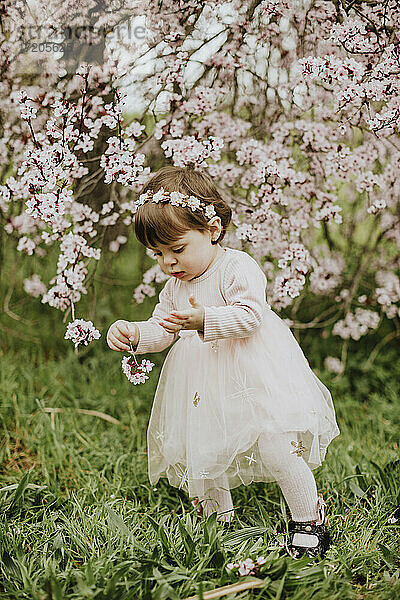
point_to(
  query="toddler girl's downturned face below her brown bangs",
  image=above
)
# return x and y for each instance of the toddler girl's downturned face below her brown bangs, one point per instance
(190, 256)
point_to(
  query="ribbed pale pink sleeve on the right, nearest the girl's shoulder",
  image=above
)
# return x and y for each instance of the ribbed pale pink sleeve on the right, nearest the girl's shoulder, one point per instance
(244, 291)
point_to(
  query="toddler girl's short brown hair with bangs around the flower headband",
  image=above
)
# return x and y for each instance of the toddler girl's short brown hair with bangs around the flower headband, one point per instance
(164, 223)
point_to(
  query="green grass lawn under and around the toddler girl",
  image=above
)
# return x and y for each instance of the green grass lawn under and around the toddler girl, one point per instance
(78, 517)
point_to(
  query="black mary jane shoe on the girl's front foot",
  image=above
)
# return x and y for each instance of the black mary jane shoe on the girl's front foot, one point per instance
(309, 537)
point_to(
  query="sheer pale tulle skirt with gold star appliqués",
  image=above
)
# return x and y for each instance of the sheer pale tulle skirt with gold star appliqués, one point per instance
(214, 399)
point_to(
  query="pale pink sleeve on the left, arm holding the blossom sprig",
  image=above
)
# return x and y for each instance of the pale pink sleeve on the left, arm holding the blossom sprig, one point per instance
(153, 337)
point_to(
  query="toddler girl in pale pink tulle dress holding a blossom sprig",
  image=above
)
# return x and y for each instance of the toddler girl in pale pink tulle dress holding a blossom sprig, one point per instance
(236, 400)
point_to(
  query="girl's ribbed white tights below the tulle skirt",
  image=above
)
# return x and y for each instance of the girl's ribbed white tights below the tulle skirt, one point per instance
(292, 473)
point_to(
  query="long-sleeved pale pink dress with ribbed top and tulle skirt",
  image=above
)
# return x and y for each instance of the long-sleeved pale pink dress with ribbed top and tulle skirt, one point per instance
(215, 397)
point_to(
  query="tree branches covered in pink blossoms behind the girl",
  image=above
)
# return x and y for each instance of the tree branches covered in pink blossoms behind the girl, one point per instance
(292, 107)
